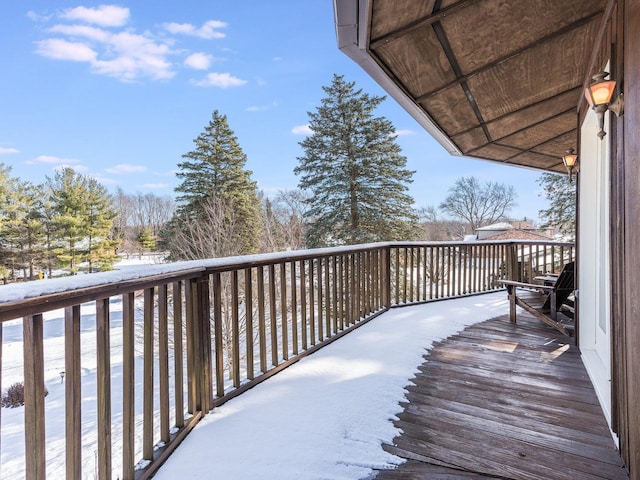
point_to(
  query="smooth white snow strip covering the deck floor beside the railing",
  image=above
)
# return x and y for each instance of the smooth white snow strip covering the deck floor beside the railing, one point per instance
(326, 417)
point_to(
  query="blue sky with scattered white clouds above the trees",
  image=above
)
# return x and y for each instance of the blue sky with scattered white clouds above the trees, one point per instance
(119, 91)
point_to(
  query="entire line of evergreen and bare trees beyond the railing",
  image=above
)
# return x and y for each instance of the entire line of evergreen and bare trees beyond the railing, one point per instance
(353, 188)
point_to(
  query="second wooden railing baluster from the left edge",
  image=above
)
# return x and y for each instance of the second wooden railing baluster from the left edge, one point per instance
(73, 392)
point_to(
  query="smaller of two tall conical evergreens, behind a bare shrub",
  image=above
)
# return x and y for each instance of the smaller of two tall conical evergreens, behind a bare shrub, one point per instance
(215, 169)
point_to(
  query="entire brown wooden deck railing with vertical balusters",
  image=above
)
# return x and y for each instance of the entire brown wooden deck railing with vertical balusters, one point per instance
(167, 348)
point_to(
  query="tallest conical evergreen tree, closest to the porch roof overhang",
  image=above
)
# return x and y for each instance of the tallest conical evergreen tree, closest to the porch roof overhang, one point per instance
(355, 172)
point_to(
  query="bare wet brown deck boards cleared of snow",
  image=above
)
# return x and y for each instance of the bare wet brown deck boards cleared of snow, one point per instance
(504, 401)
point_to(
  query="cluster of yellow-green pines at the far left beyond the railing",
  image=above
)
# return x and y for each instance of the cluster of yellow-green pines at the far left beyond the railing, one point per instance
(64, 222)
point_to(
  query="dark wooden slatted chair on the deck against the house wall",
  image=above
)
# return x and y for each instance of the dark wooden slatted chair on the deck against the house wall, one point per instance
(544, 301)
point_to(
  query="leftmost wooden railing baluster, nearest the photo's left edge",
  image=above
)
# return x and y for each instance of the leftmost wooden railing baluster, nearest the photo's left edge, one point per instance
(33, 356)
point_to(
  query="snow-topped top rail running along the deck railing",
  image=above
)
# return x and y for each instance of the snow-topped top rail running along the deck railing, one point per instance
(22, 299)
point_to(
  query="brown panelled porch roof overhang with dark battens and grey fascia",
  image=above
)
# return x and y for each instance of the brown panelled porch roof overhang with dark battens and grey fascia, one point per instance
(489, 79)
